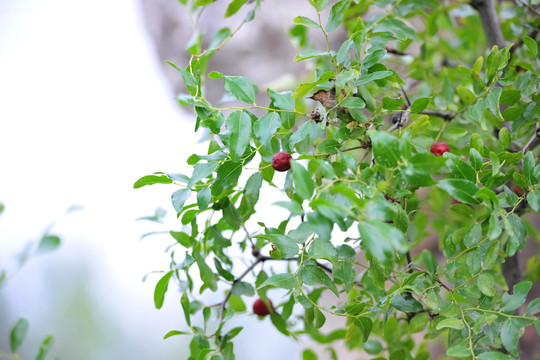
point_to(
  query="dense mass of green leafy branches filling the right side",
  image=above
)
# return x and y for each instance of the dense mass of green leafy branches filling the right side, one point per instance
(364, 191)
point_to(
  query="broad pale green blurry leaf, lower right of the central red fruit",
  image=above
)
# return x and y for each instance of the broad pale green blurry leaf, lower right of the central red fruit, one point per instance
(381, 240)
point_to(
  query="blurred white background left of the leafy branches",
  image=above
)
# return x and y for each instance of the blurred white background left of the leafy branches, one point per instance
(84, 112)
